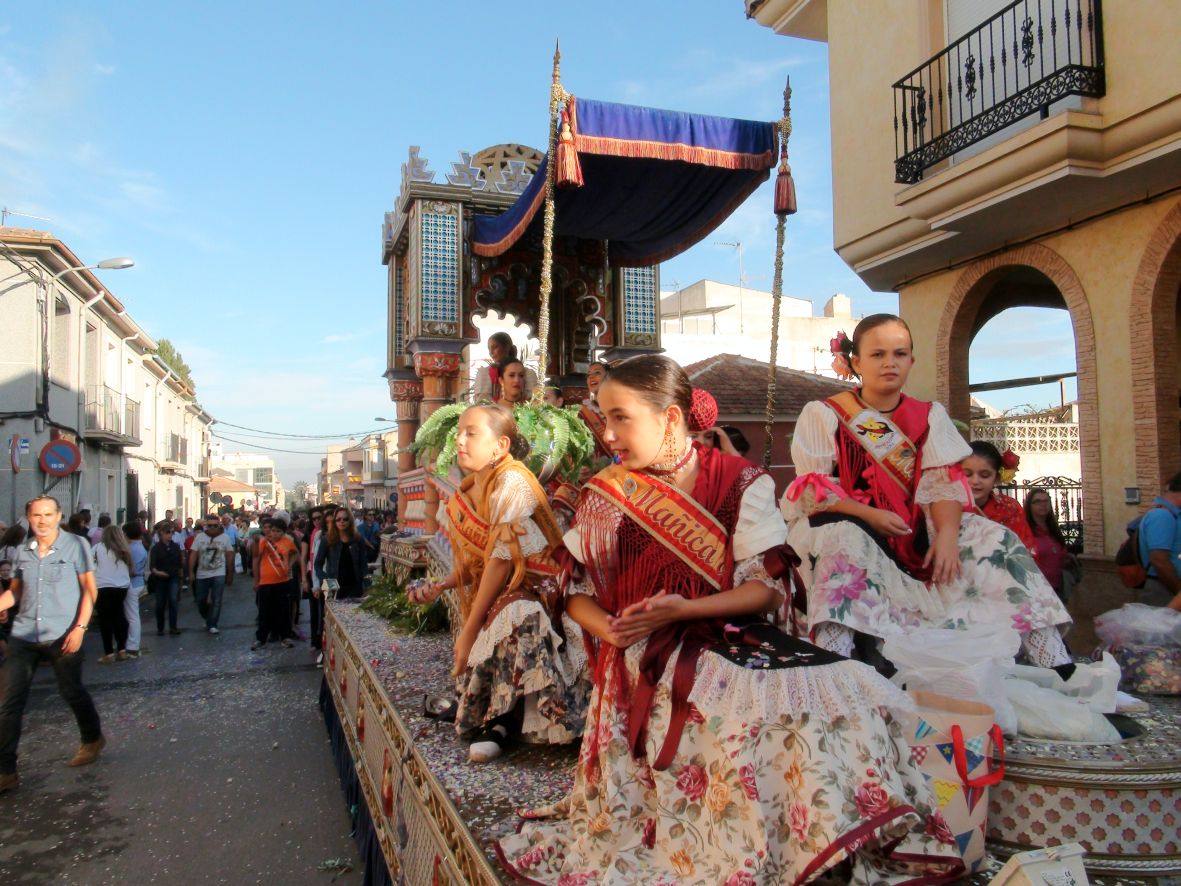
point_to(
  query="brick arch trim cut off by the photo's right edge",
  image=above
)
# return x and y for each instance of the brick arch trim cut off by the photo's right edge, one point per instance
(1154, 357)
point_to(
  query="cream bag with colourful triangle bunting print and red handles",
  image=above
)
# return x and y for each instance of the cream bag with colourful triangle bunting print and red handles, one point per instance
(954, 742)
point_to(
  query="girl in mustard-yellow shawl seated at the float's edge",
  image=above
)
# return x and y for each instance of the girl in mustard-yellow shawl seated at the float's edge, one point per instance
(517, 677)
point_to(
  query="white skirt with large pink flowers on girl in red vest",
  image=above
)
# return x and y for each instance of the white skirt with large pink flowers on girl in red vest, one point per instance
(853, 582)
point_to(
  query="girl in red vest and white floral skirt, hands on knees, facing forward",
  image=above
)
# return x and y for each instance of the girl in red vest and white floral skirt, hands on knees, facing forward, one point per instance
(886, 525)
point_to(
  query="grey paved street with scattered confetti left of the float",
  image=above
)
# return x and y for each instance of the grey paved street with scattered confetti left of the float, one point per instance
(218, 768)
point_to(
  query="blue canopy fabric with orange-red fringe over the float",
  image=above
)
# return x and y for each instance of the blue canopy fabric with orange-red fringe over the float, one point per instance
(655, 183)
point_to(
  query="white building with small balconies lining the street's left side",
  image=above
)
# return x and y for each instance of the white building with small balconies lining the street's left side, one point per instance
(79, 368)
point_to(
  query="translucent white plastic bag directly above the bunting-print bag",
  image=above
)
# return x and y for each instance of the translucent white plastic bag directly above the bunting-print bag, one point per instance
(970, 664)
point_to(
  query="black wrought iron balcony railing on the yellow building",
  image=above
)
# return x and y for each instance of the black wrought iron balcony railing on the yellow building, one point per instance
(1019, 63)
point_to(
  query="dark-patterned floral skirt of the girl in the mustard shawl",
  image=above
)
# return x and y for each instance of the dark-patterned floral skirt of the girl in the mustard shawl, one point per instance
(519, 659)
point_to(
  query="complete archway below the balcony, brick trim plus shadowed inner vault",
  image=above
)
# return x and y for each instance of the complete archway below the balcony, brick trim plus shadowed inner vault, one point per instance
(1030, 277)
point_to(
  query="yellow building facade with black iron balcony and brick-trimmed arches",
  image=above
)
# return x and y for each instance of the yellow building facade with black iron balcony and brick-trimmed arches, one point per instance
(1030, 158)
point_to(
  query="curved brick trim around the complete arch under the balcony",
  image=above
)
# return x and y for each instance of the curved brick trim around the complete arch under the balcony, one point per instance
(956, 333)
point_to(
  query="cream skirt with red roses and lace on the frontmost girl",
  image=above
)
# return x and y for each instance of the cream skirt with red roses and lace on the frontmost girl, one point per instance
(779, 777)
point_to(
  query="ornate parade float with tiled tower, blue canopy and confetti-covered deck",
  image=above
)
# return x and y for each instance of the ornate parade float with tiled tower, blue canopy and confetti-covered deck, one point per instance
(571, 249)
